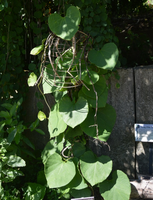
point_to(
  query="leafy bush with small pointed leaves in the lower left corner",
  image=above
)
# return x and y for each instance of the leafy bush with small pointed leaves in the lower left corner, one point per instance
(13, 146)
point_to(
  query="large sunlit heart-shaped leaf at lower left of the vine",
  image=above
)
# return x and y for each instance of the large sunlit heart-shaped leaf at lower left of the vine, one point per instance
(58, 172)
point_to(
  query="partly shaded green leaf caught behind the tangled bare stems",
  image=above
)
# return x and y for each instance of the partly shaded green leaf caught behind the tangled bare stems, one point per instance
(52, 80)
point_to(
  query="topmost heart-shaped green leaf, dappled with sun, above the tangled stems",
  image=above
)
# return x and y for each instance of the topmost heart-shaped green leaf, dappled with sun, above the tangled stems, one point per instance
(65, 27)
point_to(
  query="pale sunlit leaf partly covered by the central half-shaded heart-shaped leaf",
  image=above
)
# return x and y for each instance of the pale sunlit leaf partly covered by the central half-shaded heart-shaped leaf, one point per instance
(56, 125)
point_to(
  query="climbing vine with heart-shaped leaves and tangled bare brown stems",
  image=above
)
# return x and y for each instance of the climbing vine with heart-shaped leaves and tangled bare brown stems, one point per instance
(76, 74)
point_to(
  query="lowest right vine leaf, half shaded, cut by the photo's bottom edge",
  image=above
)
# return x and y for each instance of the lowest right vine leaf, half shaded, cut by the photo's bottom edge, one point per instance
(118, 188)
